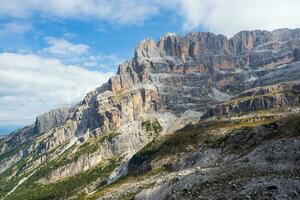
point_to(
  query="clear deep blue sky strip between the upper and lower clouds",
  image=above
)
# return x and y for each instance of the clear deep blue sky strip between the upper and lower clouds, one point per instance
(103, 37)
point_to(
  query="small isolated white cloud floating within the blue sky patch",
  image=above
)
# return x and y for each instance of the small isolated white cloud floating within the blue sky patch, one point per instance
(62, 47)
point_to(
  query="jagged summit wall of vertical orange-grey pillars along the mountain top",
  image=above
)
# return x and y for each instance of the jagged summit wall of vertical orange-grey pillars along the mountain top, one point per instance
(206, 52)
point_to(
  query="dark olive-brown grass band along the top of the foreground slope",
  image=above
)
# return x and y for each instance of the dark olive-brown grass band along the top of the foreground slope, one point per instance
(211, 134)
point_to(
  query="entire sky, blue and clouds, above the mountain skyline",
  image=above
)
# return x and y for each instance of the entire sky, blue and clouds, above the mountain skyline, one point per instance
(52, 52)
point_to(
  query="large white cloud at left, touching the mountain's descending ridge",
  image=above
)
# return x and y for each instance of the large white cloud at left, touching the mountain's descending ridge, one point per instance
(31, 85)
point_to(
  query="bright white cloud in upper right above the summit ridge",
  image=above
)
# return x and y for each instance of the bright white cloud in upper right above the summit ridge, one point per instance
(232, 16)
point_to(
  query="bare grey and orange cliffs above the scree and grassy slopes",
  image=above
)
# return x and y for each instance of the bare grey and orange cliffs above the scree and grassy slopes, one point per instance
(175, 74)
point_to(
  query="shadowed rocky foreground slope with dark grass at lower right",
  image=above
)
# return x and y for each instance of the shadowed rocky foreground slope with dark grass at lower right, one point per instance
(217, 159)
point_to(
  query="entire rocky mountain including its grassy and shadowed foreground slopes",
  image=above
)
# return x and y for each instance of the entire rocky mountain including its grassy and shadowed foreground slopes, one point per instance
(199, 116)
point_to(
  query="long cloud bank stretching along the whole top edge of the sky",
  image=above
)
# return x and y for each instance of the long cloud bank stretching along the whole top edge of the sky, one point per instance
(220, 16)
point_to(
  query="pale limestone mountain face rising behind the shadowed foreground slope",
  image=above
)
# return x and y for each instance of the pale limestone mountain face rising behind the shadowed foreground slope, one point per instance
(166, 85)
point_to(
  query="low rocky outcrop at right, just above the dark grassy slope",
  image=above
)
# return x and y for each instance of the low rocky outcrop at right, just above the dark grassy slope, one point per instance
(283, 96)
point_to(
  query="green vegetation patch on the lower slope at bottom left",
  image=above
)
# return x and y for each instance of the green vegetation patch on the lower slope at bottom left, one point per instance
(61, 189)
